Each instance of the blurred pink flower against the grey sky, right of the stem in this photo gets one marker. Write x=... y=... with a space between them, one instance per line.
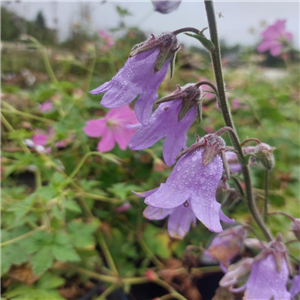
x=274 y=37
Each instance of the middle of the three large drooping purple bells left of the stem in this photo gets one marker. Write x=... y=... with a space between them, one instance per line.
x=171 y=120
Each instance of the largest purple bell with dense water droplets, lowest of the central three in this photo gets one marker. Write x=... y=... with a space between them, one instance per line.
x=195 y=179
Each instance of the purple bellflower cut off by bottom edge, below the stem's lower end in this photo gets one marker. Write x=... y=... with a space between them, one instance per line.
x=269 y=274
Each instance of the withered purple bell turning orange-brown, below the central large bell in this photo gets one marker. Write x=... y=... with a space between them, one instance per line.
x=227 y=244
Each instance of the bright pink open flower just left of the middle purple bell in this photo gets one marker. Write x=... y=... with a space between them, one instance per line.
x=112 y=128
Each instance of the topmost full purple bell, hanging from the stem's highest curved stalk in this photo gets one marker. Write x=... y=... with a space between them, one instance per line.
x=141 y=76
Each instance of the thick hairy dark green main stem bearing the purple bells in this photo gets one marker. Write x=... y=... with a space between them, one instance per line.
x=224 y=106
